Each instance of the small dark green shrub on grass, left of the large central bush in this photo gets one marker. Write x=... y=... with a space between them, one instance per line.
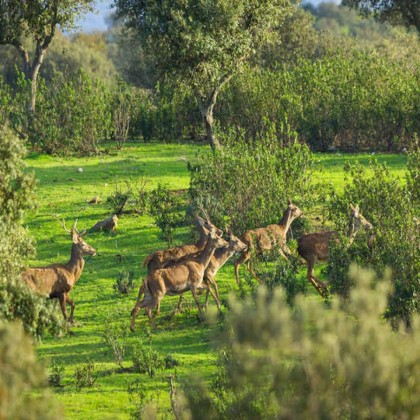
x=166 y=208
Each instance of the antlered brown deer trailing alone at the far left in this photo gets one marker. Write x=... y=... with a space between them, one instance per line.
x=57 y=280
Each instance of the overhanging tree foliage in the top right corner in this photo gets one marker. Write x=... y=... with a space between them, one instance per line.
x=396 y=12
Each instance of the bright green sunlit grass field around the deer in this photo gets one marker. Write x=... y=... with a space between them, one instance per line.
x=64 y=191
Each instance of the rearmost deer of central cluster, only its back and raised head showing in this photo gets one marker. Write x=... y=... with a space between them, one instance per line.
x=161 y=258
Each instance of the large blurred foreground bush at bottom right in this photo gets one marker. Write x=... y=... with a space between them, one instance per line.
x=313 y=361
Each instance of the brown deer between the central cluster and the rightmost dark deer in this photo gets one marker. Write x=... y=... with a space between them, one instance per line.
x=267 y=238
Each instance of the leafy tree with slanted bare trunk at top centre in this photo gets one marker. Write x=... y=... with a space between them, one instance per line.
x=203 y=44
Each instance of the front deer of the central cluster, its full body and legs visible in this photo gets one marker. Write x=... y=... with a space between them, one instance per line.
x=177 y=279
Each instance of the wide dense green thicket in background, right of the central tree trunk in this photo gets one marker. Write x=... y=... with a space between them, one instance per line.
x=353 y=101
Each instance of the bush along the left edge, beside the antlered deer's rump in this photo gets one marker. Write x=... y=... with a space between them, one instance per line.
x=17 y=196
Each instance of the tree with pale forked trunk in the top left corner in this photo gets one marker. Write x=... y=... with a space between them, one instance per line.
x=37 y=20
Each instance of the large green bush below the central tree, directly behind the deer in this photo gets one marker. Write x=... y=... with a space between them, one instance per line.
x=246 y=185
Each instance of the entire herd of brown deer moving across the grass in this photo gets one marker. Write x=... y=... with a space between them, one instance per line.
x=193 y=267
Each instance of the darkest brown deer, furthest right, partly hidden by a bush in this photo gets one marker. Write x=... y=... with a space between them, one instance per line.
x=314 y=247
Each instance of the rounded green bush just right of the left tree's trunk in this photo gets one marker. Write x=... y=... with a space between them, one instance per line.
x=74 y=115
